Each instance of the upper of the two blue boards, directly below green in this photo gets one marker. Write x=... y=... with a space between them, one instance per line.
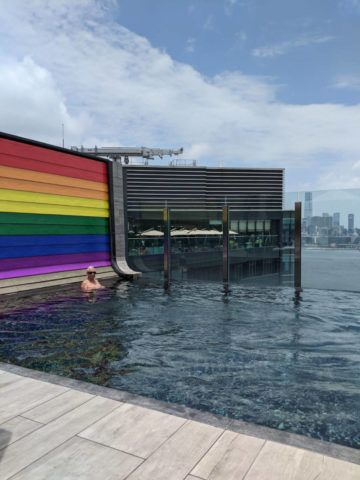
x=35 y=240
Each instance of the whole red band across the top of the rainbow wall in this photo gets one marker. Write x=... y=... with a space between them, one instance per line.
x=50 y=161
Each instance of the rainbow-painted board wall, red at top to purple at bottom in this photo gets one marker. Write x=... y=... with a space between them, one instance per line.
x=54 y=210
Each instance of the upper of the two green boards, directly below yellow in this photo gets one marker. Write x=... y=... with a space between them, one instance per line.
x=48 y=220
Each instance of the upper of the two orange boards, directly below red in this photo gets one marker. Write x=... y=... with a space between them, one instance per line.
x=50 y=178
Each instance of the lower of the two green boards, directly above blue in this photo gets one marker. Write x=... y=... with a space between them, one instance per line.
x=12 y=229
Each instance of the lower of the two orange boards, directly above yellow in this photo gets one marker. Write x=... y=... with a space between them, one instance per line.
x=23 y=185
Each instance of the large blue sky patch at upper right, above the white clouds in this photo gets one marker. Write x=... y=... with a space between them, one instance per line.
x=301 y=46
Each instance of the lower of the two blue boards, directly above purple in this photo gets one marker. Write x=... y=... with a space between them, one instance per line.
x=34 y=251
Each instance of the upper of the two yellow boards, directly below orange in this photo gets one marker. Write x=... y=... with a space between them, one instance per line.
x=47 y=198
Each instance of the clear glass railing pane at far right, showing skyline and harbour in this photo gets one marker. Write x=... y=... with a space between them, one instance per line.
x=330 y=238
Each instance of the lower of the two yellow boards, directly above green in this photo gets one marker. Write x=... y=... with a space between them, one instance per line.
x=23 y=207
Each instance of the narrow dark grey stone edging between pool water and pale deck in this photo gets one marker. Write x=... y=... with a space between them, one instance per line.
x=299 y=441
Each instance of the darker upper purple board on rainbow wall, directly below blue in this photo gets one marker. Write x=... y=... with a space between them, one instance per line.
x=52 y=260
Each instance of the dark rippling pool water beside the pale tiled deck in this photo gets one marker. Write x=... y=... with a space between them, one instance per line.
x=258 y=355
